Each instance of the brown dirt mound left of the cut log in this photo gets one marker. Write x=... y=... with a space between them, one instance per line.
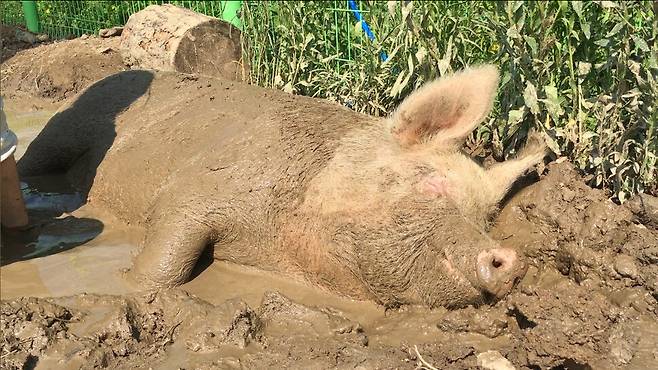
x=59 y=70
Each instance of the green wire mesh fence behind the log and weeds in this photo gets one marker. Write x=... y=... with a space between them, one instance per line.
x=70 y=19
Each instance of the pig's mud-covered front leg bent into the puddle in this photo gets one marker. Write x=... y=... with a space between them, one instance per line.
x=171 y=249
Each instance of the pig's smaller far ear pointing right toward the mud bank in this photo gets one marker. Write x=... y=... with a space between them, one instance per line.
x=501 y=176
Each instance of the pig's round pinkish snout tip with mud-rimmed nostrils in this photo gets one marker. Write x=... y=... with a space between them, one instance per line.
x=498 y=270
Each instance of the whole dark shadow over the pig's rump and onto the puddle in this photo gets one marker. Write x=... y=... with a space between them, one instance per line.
x=59 y=167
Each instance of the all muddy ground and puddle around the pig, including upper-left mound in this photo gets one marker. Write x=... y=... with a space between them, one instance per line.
x=589 y=299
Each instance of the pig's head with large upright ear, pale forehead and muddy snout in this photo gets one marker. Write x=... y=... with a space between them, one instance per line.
x=408 y=203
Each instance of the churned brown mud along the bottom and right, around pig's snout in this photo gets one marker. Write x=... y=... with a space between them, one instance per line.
x=588 y=301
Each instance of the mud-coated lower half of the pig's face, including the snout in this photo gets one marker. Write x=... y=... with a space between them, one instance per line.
x=422 y=250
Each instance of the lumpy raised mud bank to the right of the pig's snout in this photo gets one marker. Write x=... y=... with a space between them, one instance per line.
x=562 y=223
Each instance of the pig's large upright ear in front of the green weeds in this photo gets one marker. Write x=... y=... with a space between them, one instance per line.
x=447 y=110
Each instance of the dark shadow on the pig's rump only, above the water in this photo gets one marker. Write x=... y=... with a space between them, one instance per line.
x=75 y=140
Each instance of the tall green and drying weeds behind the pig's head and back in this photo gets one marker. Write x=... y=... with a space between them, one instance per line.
x=583 y=73
